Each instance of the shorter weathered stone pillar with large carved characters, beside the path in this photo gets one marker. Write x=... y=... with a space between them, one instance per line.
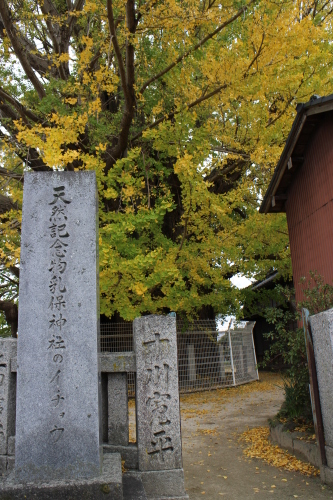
x=157 y=397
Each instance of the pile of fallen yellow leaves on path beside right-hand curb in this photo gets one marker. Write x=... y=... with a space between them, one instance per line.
x=259 y=446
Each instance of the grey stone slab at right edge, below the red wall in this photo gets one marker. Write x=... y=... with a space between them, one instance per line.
x=322 y=334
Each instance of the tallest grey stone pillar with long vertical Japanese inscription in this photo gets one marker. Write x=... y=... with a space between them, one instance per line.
x=57 y=422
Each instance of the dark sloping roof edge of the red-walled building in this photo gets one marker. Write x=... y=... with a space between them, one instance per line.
x=315 y=105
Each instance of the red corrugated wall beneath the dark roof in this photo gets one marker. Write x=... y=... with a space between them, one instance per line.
x=310 y=210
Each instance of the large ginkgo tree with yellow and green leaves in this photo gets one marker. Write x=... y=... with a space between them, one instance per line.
x=182 y=109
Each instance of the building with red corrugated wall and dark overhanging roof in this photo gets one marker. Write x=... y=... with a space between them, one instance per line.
x=302 y=186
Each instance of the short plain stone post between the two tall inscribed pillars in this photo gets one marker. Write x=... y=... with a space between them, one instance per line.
x=118 y=427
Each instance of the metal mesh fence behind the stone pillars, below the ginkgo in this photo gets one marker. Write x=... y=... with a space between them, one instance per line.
x=207 y=358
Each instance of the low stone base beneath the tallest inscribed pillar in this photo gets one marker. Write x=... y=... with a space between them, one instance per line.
x=107 y=486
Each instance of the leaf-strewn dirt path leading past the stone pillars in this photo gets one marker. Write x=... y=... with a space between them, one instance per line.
x=214 y=464
